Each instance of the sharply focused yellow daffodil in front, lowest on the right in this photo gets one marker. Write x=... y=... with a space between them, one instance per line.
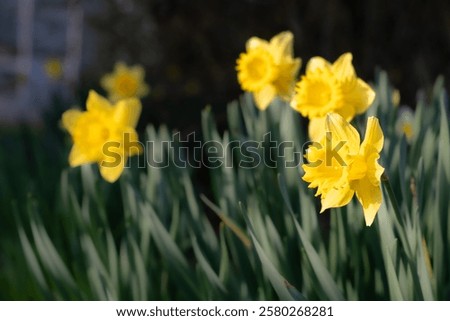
x=340 y=167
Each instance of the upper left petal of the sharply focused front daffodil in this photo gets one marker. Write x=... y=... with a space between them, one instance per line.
x=341 y=130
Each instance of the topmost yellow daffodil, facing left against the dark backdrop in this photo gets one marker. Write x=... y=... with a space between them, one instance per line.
x=268 y=69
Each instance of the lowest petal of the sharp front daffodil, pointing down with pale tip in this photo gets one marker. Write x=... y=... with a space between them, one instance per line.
x=370 y=198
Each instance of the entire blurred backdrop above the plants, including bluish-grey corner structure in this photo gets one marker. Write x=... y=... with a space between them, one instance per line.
x=53 y=51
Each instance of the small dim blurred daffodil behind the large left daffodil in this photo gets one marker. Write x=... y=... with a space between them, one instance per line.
x=125 y=82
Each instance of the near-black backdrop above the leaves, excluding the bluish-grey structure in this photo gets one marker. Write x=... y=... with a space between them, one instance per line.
x=189 y=48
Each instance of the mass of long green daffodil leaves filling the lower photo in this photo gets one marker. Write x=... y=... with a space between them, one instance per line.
x=254 y=233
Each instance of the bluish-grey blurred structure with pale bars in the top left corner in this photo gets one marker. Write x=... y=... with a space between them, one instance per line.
x=31 y=33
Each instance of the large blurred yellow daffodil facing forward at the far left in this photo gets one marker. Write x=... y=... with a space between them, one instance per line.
x=104 y=134
